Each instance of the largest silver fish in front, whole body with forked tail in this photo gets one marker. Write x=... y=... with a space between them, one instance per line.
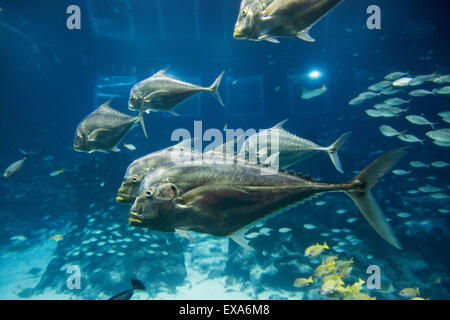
x=224 y=199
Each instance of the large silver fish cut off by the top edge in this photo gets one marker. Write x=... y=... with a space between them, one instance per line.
x=267 y=20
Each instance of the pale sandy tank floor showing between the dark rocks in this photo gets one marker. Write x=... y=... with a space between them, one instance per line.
x=15 y=276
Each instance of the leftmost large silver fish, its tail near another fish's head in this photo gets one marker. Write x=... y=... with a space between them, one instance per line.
x=103 y=129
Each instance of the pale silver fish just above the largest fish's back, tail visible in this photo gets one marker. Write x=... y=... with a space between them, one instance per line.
x=292 y=149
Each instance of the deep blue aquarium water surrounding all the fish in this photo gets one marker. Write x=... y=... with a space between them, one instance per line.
x=52 y=77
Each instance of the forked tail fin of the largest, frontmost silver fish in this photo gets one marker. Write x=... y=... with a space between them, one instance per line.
x=364 y=200
